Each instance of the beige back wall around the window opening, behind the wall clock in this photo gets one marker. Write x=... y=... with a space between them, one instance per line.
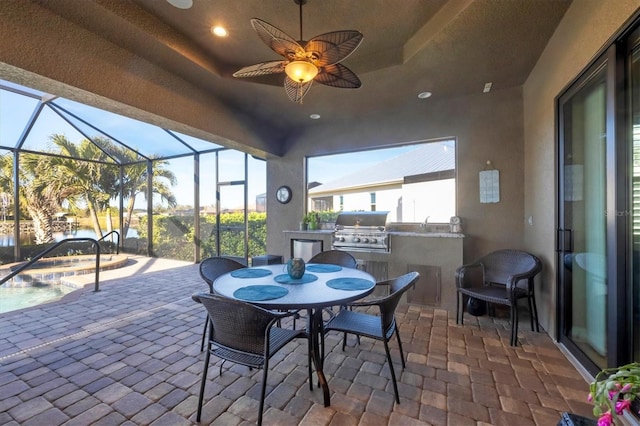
x=486 y=126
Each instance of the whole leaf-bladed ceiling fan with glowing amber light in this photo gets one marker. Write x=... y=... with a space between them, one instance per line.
x=306 y=61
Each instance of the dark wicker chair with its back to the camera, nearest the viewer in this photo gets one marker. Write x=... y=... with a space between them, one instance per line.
x=245 y=334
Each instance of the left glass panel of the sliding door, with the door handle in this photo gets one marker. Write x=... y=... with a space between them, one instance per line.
x=582 y=233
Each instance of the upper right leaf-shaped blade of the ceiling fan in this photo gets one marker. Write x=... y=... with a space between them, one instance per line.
x=333 y=47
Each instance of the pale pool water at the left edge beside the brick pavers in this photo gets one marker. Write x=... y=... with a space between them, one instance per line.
x=14 y=298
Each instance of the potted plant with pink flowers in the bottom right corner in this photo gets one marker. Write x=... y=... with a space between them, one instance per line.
x=613 y=391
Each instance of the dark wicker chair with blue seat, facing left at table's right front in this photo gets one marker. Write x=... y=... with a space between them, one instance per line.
x=380 y=327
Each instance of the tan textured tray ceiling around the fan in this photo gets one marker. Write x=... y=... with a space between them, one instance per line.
x=448 y=47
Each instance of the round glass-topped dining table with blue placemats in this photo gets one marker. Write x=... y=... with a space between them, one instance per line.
x=321 y=286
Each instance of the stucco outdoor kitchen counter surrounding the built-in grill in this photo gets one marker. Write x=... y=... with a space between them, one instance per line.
x=435 y=255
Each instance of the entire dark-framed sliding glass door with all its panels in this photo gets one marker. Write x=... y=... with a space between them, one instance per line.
x=598 y=234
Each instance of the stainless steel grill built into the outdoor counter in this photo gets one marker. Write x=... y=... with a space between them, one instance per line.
x=362 y=231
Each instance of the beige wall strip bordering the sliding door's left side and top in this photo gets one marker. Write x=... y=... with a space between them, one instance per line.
x=584 y=30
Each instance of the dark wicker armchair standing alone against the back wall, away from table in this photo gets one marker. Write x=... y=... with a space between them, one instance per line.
x=501 y=277
